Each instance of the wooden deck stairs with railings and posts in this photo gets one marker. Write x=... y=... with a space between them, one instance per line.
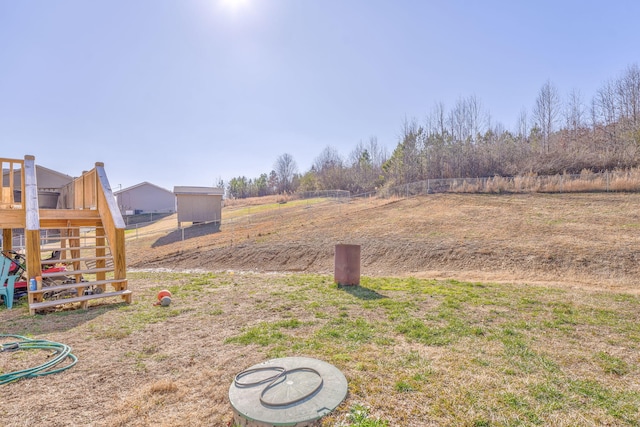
x=87 y=235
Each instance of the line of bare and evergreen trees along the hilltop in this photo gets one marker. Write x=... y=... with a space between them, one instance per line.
x=558 y=134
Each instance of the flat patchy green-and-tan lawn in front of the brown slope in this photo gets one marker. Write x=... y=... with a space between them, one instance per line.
x=415 y=352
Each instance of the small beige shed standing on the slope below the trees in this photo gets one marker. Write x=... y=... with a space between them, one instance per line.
x=199 y=204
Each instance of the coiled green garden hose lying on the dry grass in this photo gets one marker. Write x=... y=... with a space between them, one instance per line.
x=61 y=352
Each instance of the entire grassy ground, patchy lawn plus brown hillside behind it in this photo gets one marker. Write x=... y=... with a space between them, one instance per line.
x=541 y=325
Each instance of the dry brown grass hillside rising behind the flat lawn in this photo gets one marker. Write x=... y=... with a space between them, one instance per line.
x=588 y=240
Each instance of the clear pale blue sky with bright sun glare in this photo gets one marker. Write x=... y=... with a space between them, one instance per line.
x=189 y=92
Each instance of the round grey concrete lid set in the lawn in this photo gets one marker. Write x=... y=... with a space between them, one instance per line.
x=299 y=397
